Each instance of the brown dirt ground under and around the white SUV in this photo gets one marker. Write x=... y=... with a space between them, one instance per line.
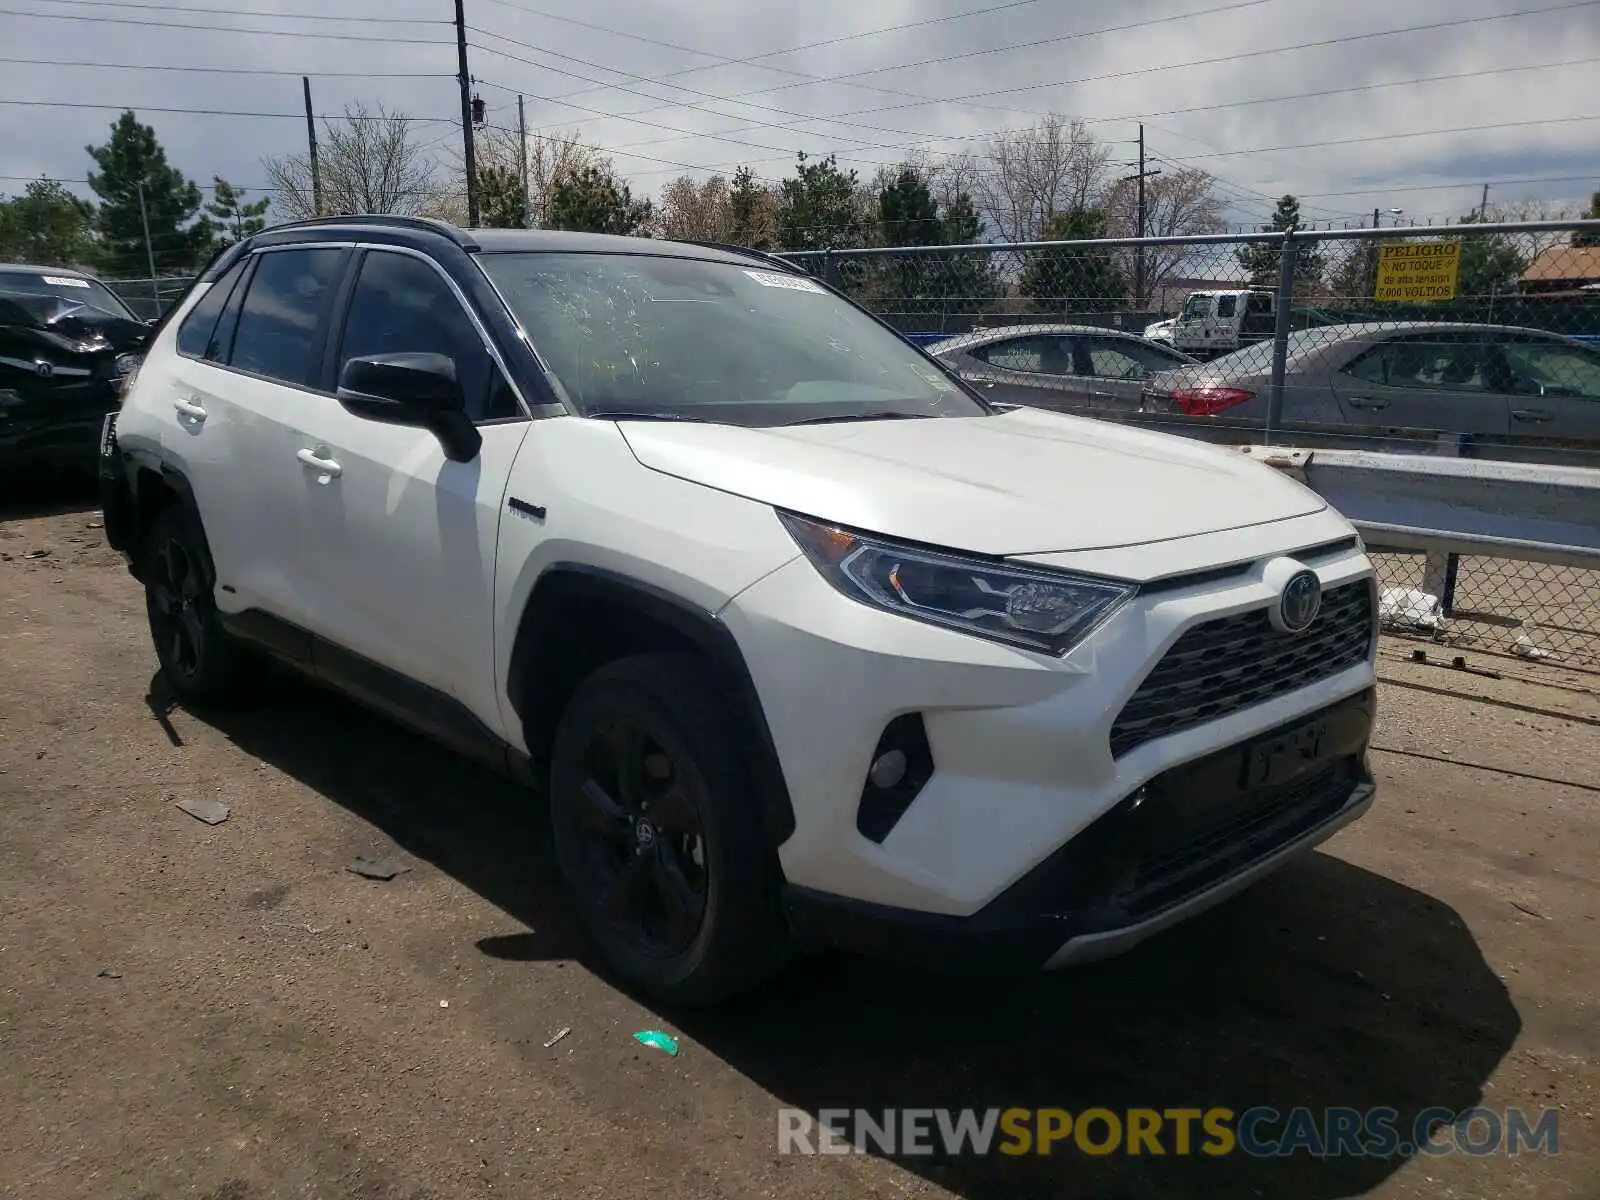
x=228 y=1014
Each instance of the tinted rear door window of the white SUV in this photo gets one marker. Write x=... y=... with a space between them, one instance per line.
x=279 y=322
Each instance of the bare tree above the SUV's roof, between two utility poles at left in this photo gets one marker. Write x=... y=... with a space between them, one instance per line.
x=370 y=162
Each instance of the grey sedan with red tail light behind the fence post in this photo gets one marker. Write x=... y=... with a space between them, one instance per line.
x=1492 y=380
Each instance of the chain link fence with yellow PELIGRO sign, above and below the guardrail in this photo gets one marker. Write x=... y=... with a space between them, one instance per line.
x=1474 y=340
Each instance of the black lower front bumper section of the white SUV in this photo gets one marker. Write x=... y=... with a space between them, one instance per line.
x=1185 y=842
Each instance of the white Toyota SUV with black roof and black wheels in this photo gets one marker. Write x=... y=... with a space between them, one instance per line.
x=807 y=642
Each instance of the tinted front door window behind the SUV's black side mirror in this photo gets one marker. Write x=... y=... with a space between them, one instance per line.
x=402 y=306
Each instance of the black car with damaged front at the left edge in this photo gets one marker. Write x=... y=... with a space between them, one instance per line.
x=66 y=345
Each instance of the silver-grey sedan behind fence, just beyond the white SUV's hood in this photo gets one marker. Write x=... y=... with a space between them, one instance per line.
x=1065 y=367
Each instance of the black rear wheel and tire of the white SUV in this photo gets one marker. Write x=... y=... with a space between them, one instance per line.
x=201 y=662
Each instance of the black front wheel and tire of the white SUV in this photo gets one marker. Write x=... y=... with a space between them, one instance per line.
x=686 y=910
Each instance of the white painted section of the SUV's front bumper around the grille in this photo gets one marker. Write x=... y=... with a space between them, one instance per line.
x=1022 y=745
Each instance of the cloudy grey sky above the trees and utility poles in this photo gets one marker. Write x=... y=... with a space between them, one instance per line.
x=1354 y=111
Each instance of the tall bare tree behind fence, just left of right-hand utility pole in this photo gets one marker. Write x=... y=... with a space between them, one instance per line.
x=1028 y=175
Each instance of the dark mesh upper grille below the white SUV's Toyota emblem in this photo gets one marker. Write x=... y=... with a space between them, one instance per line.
x=1239 y=662
